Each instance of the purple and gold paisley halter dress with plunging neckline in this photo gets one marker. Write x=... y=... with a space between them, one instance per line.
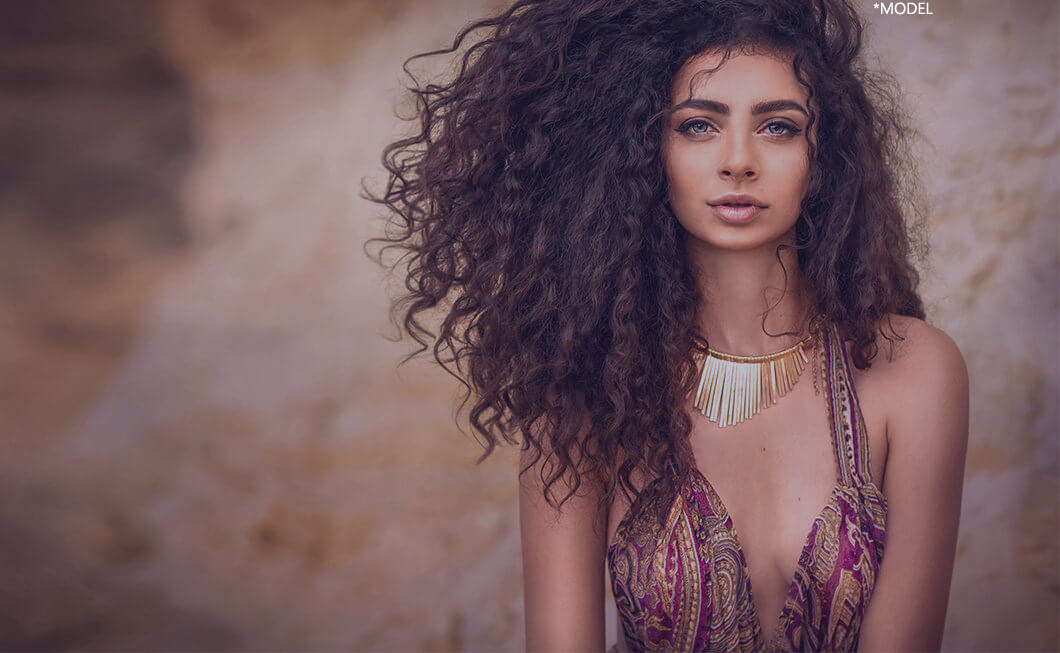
x=679 y=573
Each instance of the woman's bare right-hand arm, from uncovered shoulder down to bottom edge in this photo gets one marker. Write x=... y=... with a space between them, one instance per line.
x=928 y=435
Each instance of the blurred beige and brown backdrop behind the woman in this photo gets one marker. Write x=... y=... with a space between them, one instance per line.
x=205 y=444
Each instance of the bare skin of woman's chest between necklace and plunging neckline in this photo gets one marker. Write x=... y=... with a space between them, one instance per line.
x=774 y=478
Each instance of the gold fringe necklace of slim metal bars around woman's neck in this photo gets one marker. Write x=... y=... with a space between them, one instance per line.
x=734 y=389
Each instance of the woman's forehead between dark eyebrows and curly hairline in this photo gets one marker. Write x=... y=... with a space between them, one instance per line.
x=741 y=78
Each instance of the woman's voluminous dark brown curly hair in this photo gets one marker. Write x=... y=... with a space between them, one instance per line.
x=532 y=207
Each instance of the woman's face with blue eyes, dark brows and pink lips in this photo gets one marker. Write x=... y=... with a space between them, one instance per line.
x=744 y=132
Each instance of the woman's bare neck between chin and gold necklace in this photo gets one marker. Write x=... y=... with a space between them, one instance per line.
x=738 y=288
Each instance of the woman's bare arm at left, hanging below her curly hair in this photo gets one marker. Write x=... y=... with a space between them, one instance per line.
x=563 y=557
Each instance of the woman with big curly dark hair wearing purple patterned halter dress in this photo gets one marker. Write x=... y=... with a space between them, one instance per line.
x=653 y=221
